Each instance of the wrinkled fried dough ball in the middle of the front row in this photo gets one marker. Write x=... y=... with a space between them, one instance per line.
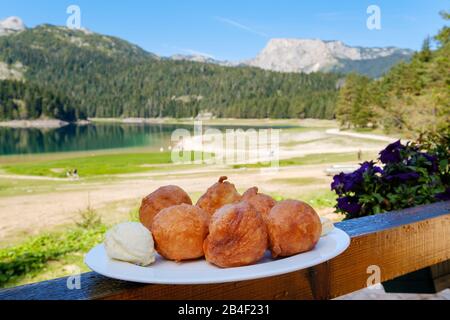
x=237 y=236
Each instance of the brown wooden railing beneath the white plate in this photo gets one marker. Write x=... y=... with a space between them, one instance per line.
x=397 y=242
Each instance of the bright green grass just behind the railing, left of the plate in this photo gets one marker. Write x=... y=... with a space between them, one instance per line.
x=34 y=258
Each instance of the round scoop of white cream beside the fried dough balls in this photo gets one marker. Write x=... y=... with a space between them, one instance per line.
x=130 y=242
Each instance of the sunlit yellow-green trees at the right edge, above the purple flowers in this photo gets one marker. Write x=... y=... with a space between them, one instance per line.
x=412 y=98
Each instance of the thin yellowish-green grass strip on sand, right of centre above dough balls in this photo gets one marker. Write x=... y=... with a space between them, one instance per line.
x=312 y=159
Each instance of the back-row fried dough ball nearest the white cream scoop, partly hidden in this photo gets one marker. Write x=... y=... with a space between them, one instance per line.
x=162 y=198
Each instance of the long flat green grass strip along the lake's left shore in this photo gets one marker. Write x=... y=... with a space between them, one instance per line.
x=92 y=166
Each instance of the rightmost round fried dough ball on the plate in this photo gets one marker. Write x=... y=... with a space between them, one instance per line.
x=294 y=227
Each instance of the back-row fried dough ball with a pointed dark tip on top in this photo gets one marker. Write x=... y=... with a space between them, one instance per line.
x=218 y=195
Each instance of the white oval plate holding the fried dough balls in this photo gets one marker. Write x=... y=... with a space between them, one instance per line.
x=201 y=272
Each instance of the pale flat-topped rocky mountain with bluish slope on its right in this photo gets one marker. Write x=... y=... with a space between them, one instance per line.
x=304 y=55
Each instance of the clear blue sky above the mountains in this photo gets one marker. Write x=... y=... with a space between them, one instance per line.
x=239 y=29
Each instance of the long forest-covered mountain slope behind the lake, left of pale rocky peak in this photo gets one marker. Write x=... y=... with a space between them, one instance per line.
x=103 y=76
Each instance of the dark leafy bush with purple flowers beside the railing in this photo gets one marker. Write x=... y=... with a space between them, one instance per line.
x=406 y=177
